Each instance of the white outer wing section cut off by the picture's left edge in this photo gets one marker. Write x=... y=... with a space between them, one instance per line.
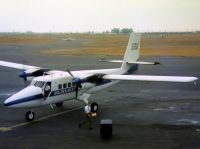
x=17 y=66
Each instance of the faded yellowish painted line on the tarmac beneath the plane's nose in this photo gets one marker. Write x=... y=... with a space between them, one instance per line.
x=5 y=129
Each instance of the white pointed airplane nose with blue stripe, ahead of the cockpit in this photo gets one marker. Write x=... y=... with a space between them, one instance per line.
x=20 y=99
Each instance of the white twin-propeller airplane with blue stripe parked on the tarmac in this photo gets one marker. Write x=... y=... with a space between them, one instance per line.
x=49 y=87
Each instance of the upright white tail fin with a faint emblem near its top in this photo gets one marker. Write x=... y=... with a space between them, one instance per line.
x=132 y=51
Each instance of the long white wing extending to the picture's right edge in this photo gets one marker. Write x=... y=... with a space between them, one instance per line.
x=150 y=78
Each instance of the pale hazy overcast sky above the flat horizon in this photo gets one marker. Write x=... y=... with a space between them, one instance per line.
x=99 y=15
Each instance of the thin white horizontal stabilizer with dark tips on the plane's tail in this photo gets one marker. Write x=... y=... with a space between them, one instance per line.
x=130 y=62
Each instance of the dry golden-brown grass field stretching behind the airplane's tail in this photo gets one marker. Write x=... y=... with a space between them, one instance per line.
x=109 y=44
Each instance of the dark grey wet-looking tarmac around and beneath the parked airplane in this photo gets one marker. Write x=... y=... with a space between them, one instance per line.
x=145 y=114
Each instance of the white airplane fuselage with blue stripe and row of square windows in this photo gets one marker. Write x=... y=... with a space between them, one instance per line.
x=62 y=89
